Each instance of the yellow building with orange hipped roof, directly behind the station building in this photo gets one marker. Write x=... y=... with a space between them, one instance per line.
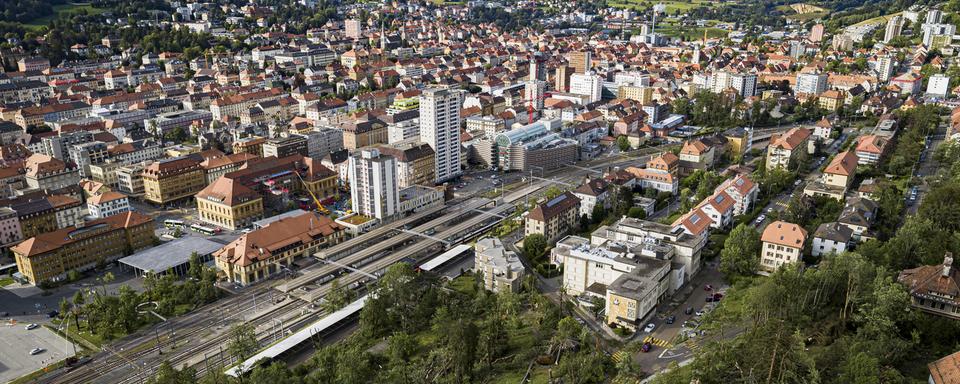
x=229 y=204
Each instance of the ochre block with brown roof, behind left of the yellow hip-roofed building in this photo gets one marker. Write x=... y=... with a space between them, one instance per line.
x=169 y=180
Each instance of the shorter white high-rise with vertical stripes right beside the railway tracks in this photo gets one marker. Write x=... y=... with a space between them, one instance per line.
x=373 y=184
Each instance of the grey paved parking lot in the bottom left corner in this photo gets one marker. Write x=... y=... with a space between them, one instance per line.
x=15 y=345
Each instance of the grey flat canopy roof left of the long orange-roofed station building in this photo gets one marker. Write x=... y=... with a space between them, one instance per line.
x=170 y=254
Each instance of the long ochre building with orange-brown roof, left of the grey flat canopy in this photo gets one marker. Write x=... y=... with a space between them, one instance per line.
x=49 y=256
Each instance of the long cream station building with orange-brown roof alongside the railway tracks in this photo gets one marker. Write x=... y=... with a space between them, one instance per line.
x=269 y=250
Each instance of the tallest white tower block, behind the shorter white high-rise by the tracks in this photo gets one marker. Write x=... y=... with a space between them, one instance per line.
x=440 y=128
